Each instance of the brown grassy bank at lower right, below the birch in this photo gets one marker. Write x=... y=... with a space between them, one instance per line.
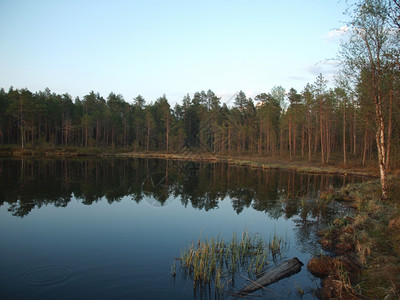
x=366 y=245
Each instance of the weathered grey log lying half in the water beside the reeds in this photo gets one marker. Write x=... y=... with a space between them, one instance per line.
x=285 y=269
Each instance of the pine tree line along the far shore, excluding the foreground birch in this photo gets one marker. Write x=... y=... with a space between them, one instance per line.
x=316 y=123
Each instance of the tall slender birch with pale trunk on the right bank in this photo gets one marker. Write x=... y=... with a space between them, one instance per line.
x=370 y=49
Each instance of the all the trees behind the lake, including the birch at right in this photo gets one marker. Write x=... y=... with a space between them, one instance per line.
x=356 y=119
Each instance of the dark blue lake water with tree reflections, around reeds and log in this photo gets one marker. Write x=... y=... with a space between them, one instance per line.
x=110 y=228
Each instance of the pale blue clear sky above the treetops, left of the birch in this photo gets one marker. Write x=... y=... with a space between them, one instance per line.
x=155 y=47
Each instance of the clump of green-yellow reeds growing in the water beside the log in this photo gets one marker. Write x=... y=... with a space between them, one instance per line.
x=210 y=261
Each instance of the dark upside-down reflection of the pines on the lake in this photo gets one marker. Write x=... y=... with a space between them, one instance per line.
x=26 y=184
